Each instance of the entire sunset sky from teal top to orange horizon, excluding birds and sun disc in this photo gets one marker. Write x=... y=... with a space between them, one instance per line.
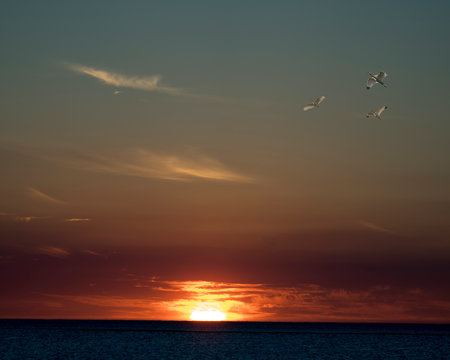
x=156 y=160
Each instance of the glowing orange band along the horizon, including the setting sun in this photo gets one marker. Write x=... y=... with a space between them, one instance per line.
x=223 y=301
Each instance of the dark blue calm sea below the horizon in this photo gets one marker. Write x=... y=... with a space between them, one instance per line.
x=98 y=339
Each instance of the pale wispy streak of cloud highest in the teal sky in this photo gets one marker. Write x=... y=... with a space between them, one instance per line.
x=148 y=83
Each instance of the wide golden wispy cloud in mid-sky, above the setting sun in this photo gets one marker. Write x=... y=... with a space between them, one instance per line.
x=147 y=164
